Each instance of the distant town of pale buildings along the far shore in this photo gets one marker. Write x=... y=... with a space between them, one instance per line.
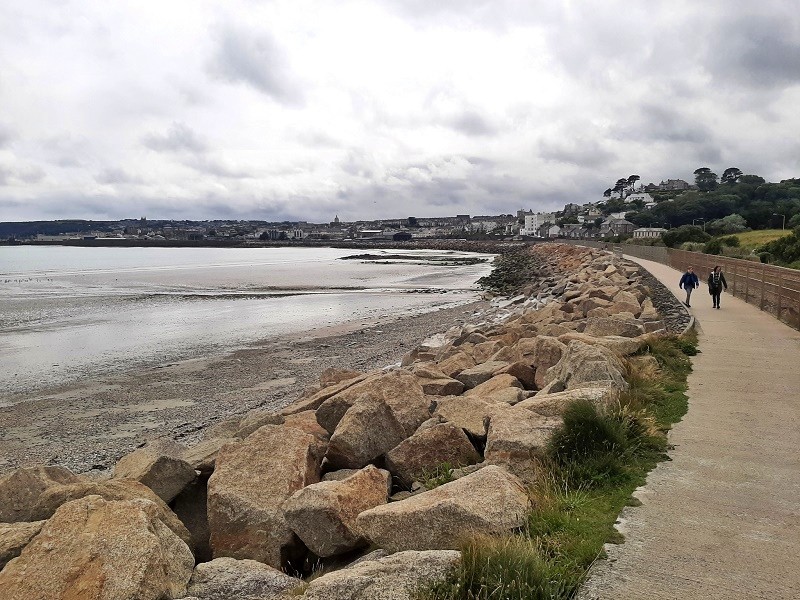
x=591 y=220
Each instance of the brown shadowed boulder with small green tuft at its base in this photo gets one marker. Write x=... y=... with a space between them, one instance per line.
x=429 y=448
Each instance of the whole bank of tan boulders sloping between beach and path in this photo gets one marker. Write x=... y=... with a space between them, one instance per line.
x=337 y=477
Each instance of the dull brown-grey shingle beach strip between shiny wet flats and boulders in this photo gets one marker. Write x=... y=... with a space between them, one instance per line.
x=87 y=426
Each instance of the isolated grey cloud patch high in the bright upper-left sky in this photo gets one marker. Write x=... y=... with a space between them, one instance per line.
x=256 y=60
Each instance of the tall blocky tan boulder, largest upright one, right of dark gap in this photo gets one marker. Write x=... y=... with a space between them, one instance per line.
x=246 y=493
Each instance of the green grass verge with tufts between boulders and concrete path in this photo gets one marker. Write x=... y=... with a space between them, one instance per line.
x=591 y=468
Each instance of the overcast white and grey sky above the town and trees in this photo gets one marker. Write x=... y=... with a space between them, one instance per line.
x=306 y=109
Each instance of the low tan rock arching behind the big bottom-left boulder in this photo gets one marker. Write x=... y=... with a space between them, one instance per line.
x=111 y=490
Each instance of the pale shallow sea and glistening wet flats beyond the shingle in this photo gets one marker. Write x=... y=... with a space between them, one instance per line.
x=70 y=313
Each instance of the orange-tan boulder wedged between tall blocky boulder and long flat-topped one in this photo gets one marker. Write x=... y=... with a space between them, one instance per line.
x=323 y=514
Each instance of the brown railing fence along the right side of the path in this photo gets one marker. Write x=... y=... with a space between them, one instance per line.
x=775 y=290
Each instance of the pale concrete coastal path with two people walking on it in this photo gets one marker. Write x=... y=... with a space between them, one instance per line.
x=722 y=519
